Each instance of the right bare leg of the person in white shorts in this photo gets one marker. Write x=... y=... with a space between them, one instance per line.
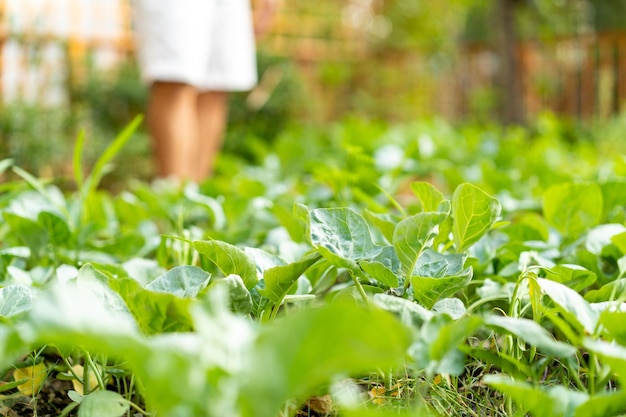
x=212 y=118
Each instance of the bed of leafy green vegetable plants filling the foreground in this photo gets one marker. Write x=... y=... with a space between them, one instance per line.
x=361 y=270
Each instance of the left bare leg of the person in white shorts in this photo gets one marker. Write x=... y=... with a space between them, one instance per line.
x=173 y=125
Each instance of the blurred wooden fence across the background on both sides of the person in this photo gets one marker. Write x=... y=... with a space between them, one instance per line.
x=581 y=77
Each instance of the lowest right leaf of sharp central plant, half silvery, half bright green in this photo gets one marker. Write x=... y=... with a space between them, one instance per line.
x=438 y=276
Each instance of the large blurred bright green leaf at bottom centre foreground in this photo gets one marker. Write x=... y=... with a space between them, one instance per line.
x=311 y=347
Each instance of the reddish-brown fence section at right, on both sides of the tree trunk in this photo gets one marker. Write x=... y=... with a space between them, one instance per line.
x=580 y=77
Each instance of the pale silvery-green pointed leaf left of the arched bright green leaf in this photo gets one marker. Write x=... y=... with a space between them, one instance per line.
x=182 y=281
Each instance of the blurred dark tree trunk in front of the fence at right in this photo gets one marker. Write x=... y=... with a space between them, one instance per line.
x=510 y=73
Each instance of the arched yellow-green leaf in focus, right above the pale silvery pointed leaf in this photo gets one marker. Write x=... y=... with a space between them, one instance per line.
x=229 y=259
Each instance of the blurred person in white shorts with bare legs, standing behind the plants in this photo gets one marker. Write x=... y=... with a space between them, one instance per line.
x=191 y=53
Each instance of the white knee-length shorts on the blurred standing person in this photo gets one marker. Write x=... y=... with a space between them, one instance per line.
x=205 y=43
